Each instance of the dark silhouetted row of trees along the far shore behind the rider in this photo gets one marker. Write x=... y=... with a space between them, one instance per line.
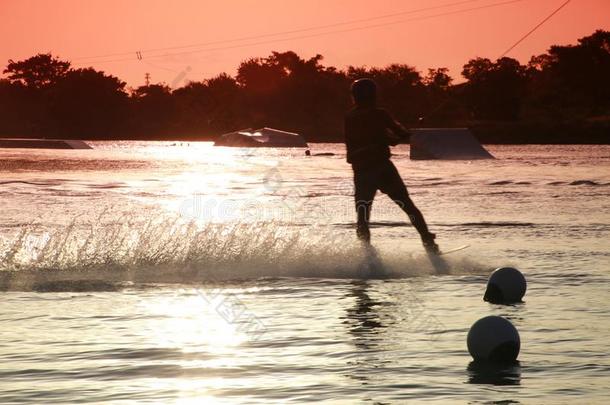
x=562 y=95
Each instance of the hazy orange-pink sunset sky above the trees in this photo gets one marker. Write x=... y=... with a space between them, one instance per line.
x=74 y=29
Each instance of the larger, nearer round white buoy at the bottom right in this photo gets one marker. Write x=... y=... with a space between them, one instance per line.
x=493 y=339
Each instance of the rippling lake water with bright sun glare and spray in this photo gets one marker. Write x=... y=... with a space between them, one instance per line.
x=182 y=273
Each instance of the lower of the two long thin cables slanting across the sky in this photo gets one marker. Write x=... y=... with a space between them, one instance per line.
x=322 y=33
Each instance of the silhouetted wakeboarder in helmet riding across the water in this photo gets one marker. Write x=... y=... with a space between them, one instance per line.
x=369 y=133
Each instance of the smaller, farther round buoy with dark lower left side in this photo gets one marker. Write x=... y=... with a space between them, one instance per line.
x=506 y=285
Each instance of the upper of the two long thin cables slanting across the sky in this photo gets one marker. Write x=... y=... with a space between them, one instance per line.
x=315 y=28
